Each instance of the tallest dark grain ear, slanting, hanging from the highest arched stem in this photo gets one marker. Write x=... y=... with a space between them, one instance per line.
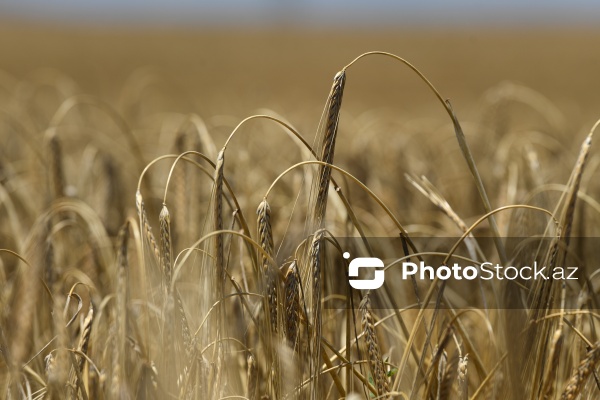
x=328 y=146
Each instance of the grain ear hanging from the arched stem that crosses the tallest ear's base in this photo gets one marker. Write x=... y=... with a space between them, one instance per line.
x=265 y=235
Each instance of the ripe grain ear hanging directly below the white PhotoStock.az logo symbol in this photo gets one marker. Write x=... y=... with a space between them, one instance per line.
x=375 y=360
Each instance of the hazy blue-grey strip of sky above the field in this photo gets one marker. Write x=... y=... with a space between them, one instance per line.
x=310 y=12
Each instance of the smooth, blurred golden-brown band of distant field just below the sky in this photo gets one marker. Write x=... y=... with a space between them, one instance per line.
x=233 y=70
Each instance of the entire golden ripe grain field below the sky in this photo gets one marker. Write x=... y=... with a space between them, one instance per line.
x=175 y=205
